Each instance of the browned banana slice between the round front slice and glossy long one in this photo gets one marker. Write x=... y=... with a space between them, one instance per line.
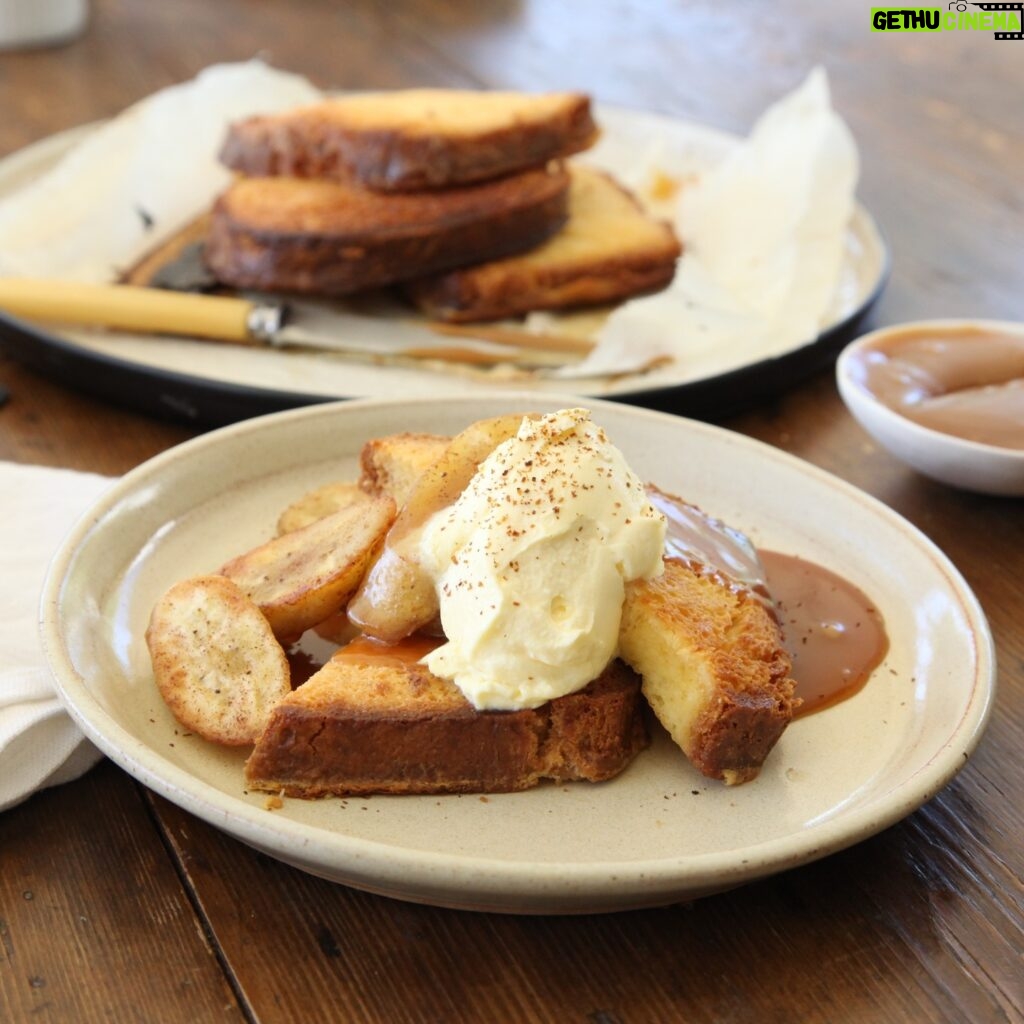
x=305 y=578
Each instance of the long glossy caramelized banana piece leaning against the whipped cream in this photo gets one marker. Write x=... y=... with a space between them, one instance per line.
x=398 y=598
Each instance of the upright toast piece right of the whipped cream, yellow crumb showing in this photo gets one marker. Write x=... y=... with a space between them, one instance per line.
x=713 y=665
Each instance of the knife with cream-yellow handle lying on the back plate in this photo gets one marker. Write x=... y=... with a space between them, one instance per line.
x=245 y=322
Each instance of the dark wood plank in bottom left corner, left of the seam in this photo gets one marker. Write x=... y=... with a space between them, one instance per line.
x=95 y=922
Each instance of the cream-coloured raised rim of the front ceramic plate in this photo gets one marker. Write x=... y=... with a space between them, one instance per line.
x=491 y=882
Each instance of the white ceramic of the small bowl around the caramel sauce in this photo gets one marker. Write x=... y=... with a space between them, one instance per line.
x=970 y=465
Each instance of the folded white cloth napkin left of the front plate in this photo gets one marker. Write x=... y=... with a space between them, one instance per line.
x=40 y=746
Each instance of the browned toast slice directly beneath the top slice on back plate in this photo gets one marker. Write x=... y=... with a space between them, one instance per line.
x=330 y=238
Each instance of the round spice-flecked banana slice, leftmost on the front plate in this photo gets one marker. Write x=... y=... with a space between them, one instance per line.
x=216 y=661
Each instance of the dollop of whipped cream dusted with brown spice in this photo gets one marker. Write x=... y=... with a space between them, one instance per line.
x=532 y=562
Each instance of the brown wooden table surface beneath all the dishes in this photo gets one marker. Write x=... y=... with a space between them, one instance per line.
x=116 y=906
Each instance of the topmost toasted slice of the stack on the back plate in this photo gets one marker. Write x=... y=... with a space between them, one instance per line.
x=413 y=140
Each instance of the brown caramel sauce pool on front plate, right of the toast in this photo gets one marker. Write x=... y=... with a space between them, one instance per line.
x=833 y=631
